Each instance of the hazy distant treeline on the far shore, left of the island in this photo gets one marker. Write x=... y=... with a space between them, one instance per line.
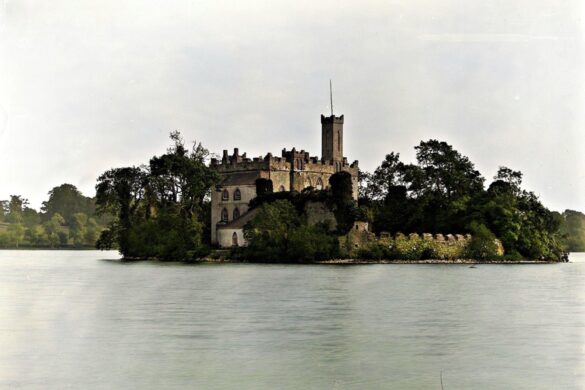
x=66 y=220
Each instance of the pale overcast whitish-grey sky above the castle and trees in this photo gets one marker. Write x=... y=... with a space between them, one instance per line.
x=86 y=86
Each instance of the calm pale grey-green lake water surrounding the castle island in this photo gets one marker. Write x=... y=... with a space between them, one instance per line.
x=83 y=320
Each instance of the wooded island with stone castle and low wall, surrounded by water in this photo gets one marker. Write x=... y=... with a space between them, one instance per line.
x=187 y=206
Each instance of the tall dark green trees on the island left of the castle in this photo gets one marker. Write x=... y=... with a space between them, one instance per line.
x=161 y=209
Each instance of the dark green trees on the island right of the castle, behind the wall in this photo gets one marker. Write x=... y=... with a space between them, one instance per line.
x=444 y=193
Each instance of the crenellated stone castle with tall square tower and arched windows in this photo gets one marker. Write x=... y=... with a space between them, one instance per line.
x=292 y=171
